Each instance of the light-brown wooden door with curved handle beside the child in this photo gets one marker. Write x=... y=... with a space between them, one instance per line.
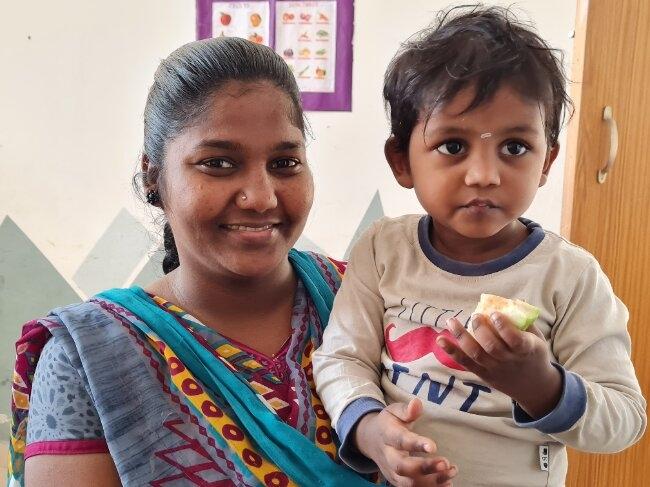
x=610 y=219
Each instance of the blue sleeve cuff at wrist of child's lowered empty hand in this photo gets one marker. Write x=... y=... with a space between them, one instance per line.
x=348 y=420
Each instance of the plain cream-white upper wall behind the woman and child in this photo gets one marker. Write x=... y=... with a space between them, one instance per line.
x=73 y=81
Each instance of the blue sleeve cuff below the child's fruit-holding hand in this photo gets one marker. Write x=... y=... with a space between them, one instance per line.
x=569 y=409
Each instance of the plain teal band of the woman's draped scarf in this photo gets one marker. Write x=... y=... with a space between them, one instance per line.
x=287 y=448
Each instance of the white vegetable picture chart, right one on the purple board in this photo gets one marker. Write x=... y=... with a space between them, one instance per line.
x=305 y=35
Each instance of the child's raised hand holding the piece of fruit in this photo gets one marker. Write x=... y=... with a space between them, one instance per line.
x=515 y=362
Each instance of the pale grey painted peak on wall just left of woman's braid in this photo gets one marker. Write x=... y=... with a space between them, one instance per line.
x=115 y=255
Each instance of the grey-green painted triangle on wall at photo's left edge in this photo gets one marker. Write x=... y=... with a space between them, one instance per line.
x=30 y=286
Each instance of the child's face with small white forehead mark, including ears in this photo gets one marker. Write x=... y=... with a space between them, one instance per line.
x=476 y=172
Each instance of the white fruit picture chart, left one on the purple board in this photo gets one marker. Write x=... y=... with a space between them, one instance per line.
x=250 y=20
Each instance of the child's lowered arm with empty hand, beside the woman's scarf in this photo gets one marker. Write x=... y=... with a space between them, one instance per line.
x=347 y=370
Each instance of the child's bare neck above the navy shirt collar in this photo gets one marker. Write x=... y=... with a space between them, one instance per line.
x=477 y=250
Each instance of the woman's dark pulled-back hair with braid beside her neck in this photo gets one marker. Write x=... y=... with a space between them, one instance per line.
x=183 y=85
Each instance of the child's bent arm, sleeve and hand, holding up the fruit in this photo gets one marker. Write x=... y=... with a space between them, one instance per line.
x=597 y=405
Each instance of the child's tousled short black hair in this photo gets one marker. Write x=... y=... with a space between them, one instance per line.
x=473 y=46
